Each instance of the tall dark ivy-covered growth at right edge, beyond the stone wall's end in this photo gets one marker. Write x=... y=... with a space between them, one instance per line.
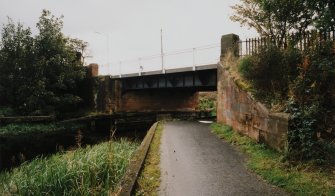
x=311 y=103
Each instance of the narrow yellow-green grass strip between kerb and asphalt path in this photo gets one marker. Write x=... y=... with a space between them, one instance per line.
x=149 y=179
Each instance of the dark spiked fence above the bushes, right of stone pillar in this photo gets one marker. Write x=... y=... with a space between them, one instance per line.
x=301 y=41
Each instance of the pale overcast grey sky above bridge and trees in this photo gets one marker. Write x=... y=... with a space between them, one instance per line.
x=120 y=30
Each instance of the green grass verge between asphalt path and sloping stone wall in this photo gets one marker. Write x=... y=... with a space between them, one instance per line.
x=302 y=179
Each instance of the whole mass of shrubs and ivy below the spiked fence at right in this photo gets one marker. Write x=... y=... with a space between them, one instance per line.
x=305 y=83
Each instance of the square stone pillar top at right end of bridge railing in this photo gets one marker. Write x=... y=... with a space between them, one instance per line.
x=229 y=43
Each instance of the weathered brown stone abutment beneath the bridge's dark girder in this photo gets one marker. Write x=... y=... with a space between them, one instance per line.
x=109 y=98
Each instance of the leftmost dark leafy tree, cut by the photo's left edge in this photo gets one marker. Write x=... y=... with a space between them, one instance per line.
x=15 y=56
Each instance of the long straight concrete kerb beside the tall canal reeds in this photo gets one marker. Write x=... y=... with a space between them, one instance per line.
x=128 y=181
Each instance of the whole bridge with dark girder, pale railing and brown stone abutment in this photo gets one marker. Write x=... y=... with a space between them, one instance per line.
x=164 y=87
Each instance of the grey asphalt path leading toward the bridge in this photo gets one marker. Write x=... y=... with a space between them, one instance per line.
x=195 y=162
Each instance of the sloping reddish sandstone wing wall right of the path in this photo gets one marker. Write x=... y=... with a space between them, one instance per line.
x=237 y=108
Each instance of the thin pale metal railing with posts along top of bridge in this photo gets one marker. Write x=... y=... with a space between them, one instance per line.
x=191 y=57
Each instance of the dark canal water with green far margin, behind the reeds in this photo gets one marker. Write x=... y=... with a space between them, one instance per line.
x=21 y=142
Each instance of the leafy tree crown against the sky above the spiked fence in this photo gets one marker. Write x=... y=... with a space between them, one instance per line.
x=273 y=19
